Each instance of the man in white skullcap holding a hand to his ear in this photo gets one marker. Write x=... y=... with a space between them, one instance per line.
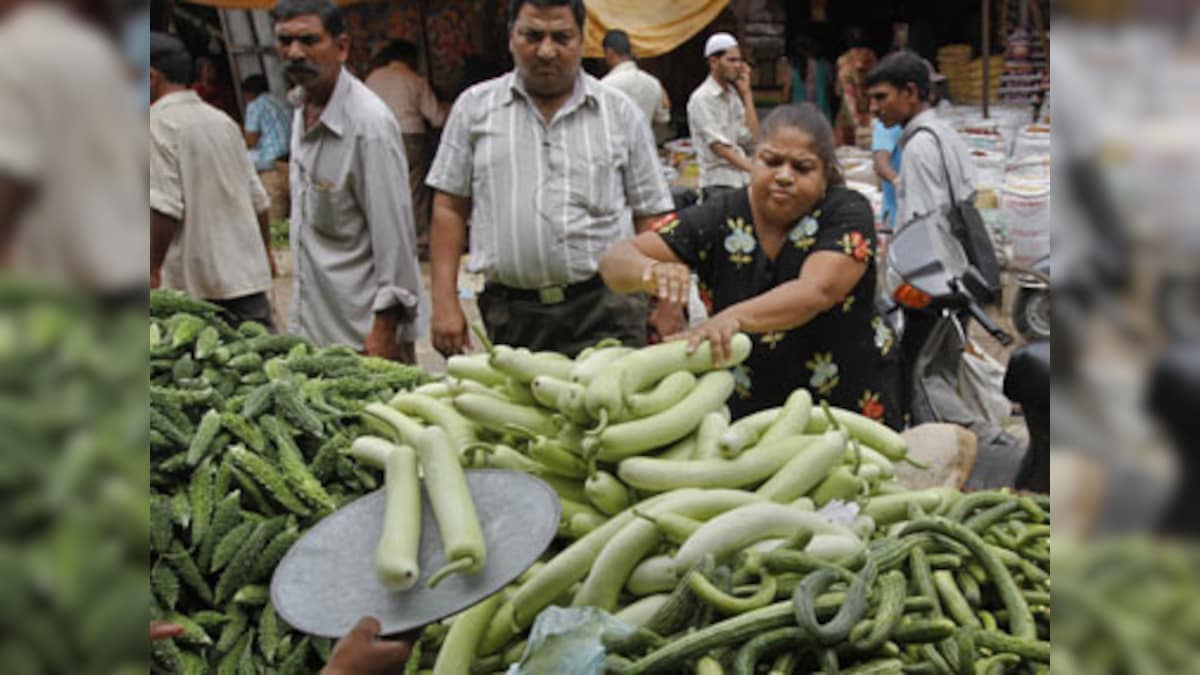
x=723 y=118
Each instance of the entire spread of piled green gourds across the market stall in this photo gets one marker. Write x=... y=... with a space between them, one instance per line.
x=782 y=539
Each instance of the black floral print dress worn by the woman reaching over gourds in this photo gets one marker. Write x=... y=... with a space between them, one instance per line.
x=847 y=355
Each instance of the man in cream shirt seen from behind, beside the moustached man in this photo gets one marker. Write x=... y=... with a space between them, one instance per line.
x=209 y=234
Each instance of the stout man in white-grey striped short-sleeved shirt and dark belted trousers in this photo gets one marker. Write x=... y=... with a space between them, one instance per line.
x=550 y=168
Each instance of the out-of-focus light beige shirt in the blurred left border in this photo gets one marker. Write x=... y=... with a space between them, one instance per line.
x=71 y=127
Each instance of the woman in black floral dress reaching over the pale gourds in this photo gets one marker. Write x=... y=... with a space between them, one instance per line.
x=791 y=261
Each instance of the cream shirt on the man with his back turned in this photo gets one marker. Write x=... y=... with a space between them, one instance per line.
x=201 y=175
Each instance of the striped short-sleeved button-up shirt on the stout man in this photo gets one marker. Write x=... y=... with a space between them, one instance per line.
x=548 y=200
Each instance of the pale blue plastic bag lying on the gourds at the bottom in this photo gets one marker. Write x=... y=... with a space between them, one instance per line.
x=569 y=642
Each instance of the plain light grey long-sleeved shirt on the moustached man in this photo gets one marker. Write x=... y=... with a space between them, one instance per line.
x=353 y=240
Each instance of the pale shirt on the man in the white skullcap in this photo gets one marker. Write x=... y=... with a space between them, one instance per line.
x=716 y=115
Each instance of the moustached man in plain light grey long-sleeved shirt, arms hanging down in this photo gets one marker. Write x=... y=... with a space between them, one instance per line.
x=353 y=240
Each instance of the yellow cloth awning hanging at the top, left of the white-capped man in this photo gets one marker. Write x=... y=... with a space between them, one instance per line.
x=655 y=28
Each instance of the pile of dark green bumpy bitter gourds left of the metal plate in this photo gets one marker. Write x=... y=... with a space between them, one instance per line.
x=249 y=434
